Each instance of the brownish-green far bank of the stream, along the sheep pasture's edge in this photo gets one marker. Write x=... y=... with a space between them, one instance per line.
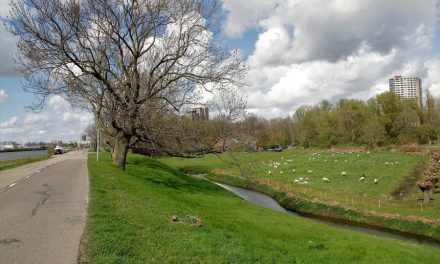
x=413 y=228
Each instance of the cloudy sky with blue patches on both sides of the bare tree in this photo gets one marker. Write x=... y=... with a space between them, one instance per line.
x=298 y=52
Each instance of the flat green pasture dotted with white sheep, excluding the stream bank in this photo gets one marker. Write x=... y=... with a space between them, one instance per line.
x=396 y=173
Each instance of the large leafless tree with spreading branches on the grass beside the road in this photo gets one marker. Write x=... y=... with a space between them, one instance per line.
x=121 y=59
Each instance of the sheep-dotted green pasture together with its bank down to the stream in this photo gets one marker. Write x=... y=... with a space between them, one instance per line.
x=345 y=197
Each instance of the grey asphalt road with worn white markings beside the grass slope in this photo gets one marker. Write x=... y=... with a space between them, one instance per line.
x=43 y=210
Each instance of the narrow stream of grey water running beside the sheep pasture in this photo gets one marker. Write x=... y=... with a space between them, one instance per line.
x=268 y=202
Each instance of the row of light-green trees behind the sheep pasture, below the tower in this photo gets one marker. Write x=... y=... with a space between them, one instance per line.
x=382 y=120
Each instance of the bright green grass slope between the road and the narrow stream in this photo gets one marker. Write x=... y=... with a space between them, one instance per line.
x=129 y=222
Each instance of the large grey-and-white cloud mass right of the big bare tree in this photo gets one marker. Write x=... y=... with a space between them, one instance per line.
x=312 y=50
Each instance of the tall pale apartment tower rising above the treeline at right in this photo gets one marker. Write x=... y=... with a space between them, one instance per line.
x=407 y=87
